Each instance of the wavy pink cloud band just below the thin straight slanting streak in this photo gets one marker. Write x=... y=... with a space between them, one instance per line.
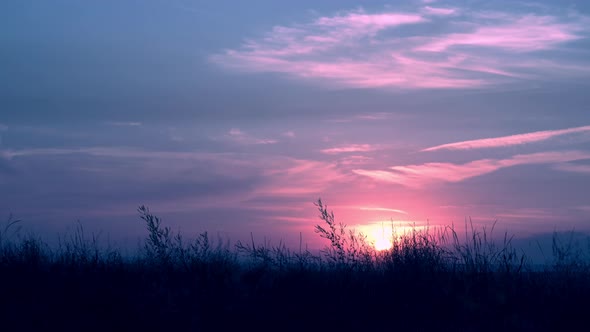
x=419 y=175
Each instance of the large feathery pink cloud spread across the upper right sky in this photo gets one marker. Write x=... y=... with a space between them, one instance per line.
x=363 y=50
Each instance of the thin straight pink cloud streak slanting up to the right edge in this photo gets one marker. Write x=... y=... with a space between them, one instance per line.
x=508 y=140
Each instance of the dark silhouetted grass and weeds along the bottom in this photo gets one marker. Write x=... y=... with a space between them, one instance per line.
x=428 y=281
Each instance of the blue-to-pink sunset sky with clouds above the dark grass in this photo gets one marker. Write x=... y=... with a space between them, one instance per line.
x=236 y=116
